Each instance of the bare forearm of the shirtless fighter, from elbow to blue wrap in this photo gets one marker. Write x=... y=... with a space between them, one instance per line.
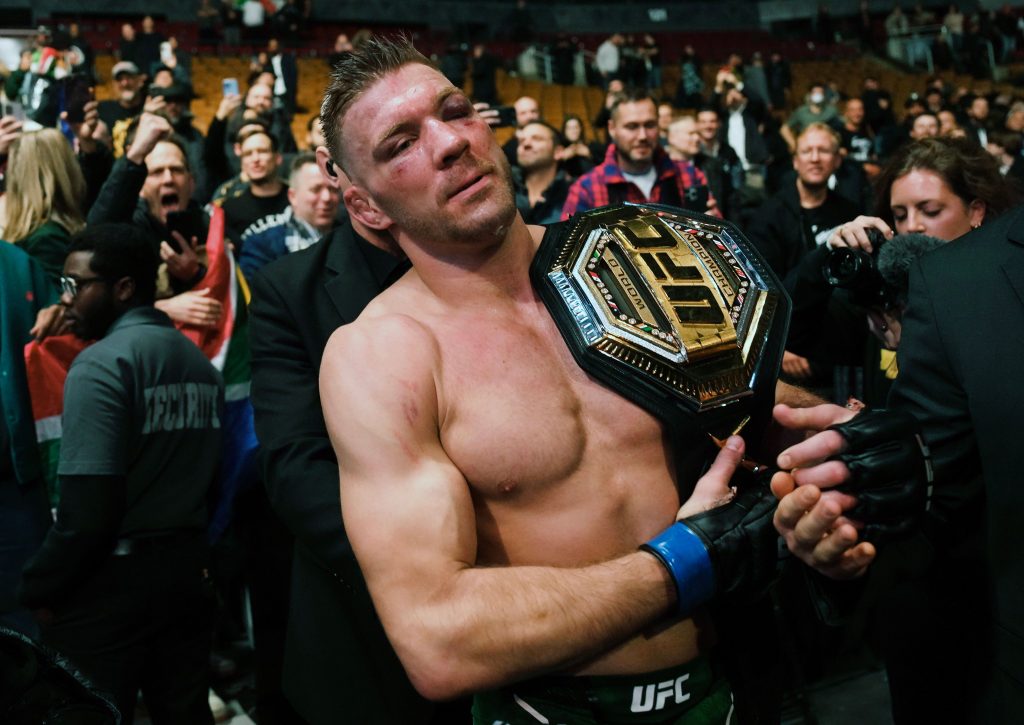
x=485 y=628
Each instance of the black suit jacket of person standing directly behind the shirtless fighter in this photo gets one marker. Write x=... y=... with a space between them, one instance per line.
x=339 y=666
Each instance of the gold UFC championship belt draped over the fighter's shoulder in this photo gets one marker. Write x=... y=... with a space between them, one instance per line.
x=673 y=310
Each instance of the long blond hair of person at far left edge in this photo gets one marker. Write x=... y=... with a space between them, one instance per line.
x=45 y=184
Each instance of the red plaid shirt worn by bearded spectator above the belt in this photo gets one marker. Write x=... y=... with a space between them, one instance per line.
x=607 y=185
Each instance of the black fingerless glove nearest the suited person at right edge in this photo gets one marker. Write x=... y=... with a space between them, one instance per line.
x=890 y=473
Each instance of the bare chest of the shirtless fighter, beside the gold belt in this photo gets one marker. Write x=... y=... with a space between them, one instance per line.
x=519 y=413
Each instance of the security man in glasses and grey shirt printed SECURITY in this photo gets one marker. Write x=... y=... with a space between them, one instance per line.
x=121 y=585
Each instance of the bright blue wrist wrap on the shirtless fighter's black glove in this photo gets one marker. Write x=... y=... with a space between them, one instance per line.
x=686 y=556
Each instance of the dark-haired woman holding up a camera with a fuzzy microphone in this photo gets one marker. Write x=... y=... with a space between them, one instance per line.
x=938 y=188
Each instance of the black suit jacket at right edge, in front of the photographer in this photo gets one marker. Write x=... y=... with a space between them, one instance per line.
x=961 y=360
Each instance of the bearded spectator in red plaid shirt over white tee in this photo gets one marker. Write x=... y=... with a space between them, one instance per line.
x=636 y=168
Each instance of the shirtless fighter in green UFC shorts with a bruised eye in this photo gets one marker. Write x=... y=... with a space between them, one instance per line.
x=495 y=495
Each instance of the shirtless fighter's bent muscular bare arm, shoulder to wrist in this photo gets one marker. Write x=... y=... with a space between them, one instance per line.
x=408 y=509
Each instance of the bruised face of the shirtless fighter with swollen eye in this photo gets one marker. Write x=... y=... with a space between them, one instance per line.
x=424 y=164
